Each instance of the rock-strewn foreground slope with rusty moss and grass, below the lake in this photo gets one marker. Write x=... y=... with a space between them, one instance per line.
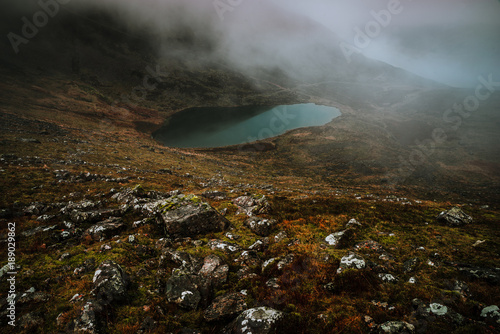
x=117 y=234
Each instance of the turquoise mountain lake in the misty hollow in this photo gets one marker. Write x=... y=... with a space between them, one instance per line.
x=216 y=127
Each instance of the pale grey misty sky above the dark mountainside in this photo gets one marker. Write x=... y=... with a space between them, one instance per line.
x=450 y=41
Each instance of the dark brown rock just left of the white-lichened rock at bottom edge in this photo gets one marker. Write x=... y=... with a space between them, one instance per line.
x=226 y=306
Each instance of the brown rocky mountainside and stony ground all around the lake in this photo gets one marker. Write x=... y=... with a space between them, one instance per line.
x=308 y=232
